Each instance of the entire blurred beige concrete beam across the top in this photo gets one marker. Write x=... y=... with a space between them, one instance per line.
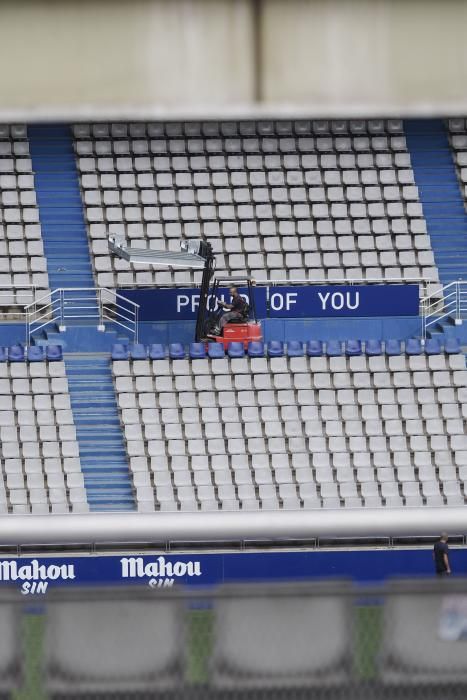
x=160 y=58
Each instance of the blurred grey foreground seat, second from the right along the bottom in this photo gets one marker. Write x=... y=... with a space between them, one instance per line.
x=282 y=667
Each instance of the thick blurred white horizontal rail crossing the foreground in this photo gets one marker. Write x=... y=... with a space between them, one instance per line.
x=229 y=526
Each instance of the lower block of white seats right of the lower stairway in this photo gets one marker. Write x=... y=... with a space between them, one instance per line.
x=295 y=432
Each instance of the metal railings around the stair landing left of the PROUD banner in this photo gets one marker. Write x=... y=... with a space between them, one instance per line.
x=83 y=304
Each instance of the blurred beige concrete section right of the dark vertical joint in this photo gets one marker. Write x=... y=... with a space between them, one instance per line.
x=381 y=54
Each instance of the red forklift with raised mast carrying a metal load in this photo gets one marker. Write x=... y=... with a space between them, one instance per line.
x=198 y=255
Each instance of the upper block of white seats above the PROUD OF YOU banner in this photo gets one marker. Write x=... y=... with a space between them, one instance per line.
x=282 y=200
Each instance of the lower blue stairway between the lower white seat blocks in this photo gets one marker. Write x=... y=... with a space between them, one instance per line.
x=102 y=451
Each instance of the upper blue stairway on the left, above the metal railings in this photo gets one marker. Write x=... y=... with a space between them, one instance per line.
x=60 y=206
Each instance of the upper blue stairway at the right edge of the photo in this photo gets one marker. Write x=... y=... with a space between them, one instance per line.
x=440 y=195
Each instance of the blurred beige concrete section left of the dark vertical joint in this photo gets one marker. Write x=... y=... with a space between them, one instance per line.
x=122 y=57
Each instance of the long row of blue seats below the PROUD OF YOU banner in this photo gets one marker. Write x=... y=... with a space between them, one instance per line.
x=294 y=348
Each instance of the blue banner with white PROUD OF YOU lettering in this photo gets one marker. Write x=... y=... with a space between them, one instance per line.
x=313 y=301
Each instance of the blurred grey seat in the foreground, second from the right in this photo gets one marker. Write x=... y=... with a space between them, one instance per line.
x=260 y=644
